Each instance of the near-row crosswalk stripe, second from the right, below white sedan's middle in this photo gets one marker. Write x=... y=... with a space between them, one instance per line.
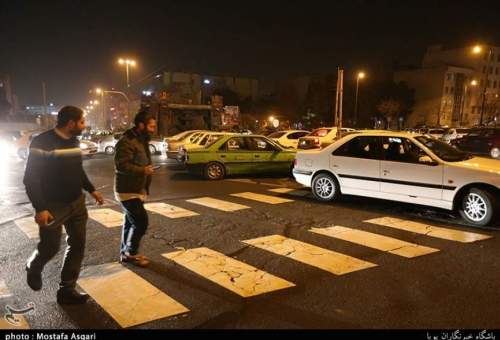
x=375 y=241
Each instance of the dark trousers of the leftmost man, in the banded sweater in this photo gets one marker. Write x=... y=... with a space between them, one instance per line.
x=74 y=218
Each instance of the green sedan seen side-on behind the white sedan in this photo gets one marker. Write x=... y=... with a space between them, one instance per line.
x=239 y=154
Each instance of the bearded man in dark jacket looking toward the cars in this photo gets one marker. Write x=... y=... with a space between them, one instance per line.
x=133 y=178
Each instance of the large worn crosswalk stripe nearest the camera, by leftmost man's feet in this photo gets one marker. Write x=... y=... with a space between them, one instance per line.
x=126 y=297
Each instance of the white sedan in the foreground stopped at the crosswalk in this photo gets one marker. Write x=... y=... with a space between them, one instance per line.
x=403 y=167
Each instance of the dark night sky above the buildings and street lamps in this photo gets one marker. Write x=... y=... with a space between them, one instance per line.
x=74 y=45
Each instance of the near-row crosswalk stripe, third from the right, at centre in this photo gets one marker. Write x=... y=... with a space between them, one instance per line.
x=333 y=262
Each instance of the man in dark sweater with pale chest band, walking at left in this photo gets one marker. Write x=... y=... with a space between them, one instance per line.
x=54 y=179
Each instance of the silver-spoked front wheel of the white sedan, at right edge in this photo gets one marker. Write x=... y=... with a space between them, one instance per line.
x=478 y=207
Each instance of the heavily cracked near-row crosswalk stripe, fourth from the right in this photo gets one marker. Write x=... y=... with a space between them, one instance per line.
x=227 y=272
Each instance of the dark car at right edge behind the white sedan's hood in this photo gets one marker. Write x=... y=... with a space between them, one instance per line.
x=482 y=141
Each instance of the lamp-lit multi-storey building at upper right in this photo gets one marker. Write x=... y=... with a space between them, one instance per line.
x=455 y=87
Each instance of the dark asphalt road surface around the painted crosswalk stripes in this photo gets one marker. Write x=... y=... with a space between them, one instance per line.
x=453 y=288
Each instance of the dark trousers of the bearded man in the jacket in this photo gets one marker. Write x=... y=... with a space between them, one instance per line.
x=134 y=226
